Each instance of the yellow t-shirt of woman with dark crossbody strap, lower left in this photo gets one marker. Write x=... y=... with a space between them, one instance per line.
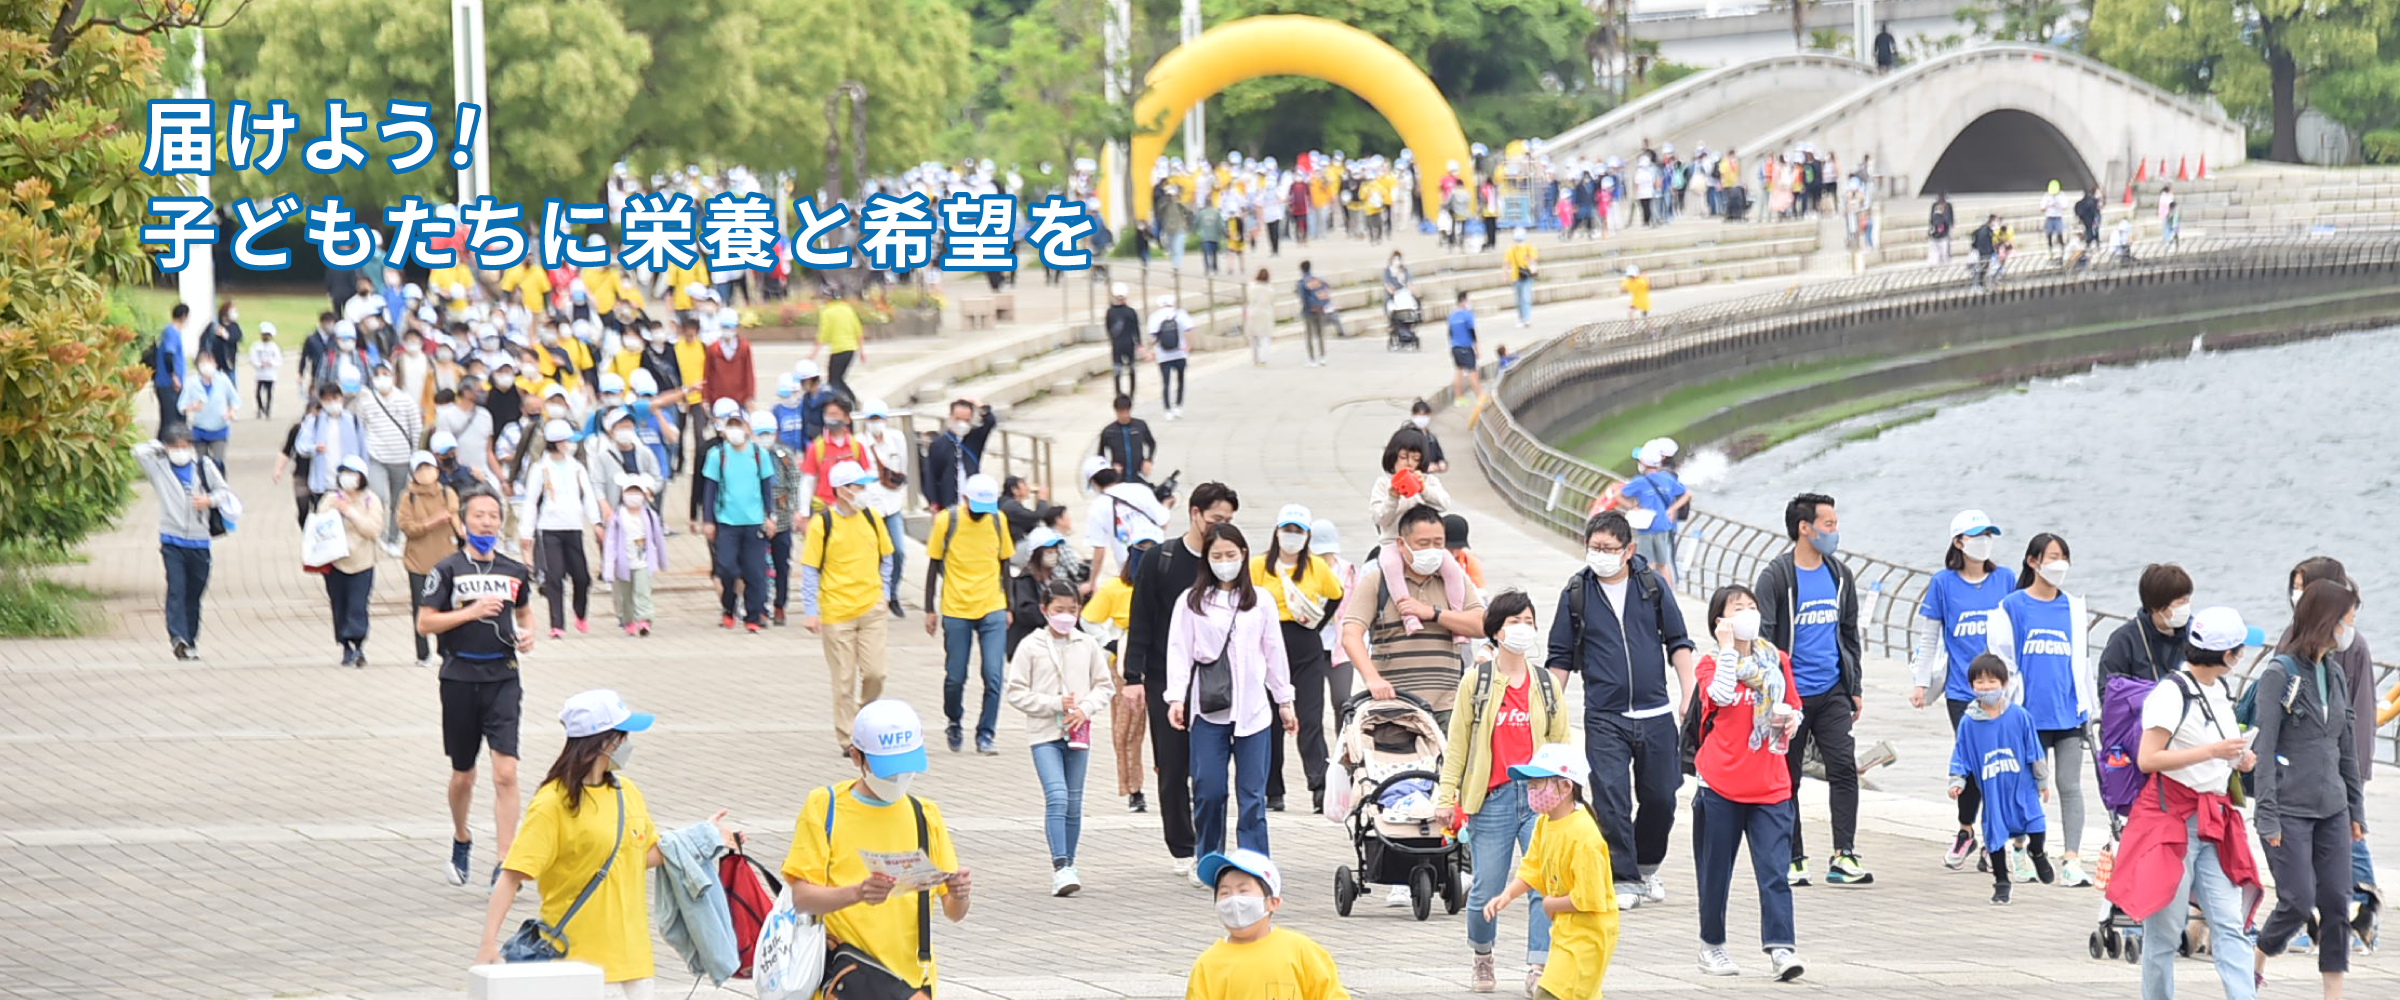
x=560 y=853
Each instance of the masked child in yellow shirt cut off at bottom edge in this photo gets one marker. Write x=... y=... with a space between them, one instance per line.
x=1256 y=960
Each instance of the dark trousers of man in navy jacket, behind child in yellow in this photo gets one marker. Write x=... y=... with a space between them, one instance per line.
x=1633 y=761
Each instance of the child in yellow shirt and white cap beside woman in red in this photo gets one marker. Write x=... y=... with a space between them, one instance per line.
x=1568 y=867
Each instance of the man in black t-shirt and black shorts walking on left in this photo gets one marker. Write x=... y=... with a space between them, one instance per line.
x=476 y=603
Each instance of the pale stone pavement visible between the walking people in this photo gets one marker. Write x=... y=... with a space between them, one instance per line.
x=270 y=826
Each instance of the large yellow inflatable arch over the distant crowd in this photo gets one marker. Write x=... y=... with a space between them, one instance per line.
x=1307 y=47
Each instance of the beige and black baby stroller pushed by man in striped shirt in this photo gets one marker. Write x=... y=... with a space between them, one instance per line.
x=1393 y=757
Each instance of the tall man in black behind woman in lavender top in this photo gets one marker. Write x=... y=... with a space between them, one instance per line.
x=1158 y=584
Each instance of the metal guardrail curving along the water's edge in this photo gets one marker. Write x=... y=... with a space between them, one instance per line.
x=1554 y=488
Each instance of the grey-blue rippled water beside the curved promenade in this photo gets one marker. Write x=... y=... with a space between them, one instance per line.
x=2231 y=464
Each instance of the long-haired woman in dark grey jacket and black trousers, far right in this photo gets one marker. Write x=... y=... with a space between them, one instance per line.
x=2310 y=800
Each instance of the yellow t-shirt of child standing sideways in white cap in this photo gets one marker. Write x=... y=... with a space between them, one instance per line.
x=1571 y=860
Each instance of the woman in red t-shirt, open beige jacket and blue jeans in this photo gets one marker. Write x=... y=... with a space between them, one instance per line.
x=1508 y=709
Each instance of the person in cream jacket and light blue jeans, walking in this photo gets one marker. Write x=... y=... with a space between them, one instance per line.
x=1060 y=677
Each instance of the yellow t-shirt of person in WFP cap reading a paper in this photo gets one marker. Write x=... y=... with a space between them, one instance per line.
x=884 y=932
